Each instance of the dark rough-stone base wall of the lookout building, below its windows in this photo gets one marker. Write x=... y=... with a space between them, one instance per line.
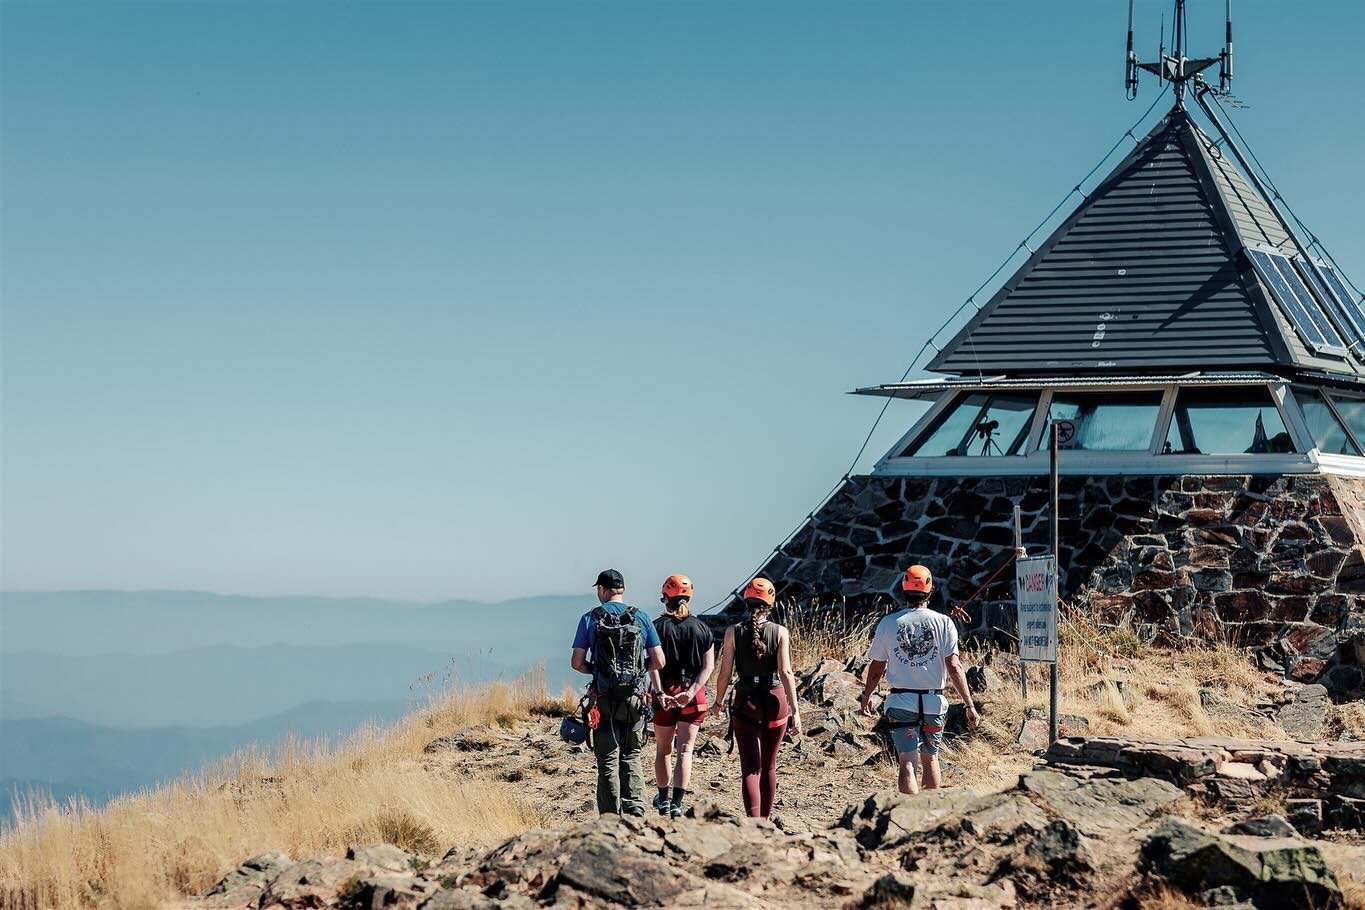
x=1273 y=563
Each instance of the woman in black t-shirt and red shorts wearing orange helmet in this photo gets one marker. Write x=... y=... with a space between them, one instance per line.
x=689 y=660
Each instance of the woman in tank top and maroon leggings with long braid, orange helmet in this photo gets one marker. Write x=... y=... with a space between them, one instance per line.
x=758 y=653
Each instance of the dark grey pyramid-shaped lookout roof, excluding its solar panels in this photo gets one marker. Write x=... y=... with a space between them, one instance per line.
x=1150 y=274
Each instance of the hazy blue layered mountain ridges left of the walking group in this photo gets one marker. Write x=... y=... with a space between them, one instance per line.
x=103 y=692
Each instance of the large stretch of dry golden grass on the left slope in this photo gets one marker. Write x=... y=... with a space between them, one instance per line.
x=147 y=849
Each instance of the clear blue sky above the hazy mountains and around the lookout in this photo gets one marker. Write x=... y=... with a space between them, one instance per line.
x=446 y=299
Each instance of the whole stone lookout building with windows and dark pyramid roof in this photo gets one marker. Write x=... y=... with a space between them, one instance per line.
x=1207 y=366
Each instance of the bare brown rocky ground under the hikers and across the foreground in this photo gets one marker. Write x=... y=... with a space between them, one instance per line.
x=1094 y=822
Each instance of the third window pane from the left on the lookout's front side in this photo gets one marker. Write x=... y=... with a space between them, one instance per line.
x=1239 y=421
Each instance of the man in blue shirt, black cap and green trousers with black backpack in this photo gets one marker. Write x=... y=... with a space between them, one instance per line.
x=620 y=736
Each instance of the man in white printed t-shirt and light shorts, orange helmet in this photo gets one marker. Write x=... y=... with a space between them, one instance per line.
x=917 y=651
